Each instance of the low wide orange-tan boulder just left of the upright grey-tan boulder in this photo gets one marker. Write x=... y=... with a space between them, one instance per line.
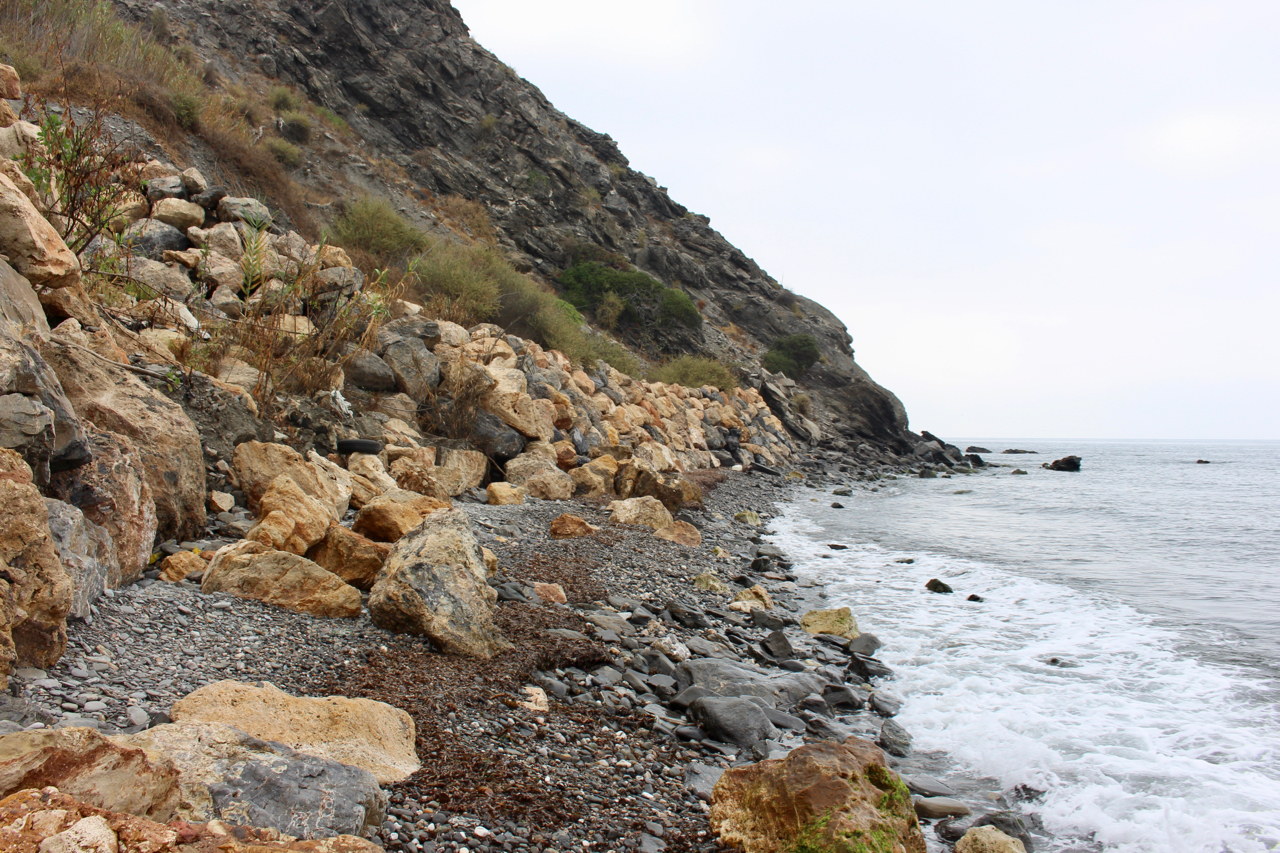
x=253 y=571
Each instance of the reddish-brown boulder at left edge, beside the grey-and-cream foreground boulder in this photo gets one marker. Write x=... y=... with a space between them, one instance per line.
x=81 y=763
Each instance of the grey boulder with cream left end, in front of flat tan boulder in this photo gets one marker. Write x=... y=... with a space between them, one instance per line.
x=228 y=776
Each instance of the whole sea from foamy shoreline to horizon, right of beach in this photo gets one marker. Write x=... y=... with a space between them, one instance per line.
x=1126 y=660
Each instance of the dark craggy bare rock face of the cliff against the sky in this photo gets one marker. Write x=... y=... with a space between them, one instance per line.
x=454 y=120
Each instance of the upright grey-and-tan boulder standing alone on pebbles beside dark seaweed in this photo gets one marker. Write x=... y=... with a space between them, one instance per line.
x=435 y=585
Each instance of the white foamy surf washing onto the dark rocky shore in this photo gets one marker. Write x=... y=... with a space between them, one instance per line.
x=1139 y=749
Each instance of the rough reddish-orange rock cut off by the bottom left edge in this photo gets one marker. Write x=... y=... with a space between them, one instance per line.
x=51 y=822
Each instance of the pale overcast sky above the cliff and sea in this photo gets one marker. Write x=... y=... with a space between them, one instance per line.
x=1037 y=220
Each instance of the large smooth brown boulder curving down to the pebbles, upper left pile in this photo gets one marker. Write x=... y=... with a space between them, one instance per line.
x=168 y=444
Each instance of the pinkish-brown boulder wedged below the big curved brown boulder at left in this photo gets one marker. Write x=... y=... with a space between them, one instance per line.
x=113 y=494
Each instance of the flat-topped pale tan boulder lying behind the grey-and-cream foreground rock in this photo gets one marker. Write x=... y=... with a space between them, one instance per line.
x=362 y=733
